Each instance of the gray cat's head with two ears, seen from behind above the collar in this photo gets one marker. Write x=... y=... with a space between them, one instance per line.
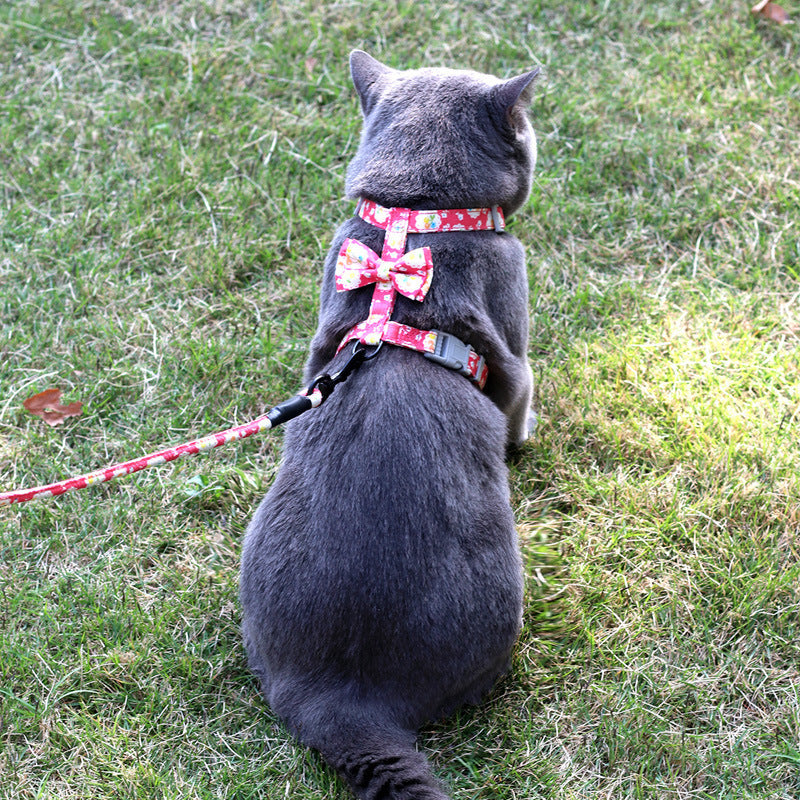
x=440 y=138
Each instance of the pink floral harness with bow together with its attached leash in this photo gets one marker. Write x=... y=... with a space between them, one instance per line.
x=393 y=272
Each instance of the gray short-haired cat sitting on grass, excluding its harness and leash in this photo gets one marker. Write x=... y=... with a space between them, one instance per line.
x=381 y=580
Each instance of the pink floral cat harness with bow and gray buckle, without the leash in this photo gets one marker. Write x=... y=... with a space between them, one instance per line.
x=410 y=274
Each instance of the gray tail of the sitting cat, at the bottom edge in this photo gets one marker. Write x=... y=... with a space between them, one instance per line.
x=379 y=762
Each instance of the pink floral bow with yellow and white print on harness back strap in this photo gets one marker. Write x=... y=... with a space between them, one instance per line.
x=358 y=265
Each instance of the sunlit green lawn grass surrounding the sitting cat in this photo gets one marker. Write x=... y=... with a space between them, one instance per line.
x=170 y=175
